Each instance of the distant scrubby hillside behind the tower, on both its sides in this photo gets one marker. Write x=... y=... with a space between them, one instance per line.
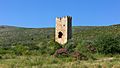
x=16 y=35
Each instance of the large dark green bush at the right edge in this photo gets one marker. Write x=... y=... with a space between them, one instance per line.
x=108 y=44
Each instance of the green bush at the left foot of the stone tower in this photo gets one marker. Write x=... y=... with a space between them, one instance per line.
x=48 y=47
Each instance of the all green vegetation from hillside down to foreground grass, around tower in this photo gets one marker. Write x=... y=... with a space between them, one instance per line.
x=34 y=47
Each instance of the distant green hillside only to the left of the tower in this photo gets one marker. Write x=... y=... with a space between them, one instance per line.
x=9 y=36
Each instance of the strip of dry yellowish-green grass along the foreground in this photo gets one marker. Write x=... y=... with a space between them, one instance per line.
x=50 y=62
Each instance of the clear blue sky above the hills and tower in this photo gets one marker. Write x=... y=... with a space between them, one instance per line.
x=42 y=13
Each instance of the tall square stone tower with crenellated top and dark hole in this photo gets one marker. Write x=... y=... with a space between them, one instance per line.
x=63 y=31
